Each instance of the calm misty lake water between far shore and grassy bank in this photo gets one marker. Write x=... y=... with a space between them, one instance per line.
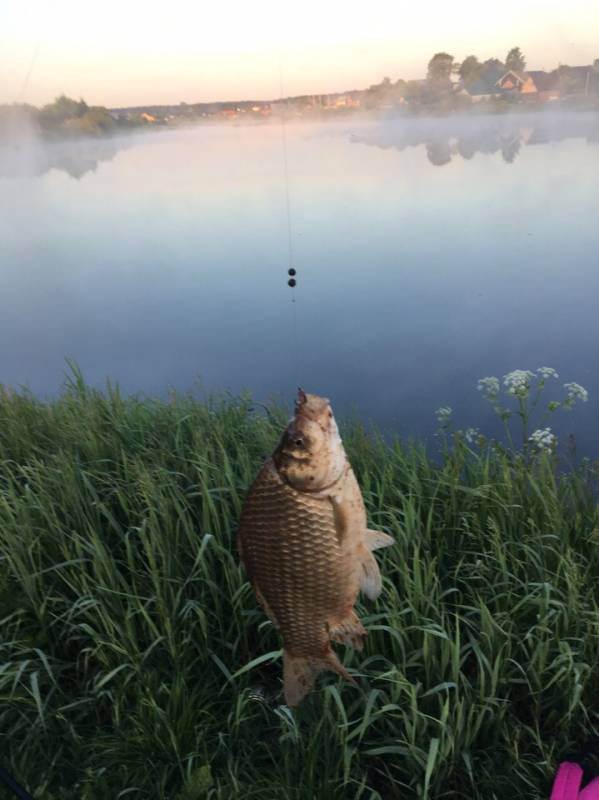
x=429 y=253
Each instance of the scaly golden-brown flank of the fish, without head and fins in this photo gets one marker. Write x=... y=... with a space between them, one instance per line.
x=292 y=555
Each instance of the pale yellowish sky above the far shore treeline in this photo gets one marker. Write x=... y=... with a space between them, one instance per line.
x=134 y=52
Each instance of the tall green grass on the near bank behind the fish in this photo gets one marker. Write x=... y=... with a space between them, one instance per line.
x=135 y=663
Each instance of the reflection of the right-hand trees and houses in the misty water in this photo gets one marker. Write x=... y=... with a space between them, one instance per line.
x=466 y=136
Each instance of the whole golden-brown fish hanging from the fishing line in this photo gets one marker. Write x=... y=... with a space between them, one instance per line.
x=305 y=545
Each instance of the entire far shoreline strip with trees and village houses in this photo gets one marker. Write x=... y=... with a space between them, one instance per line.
x=491 y=86
